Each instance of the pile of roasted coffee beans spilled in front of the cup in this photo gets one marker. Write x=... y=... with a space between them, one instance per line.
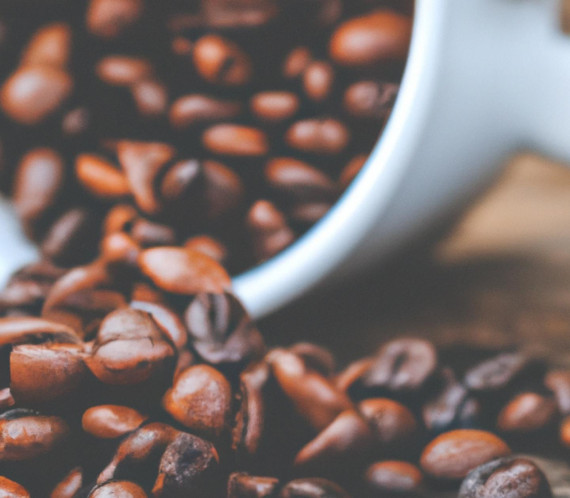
x=148 y=378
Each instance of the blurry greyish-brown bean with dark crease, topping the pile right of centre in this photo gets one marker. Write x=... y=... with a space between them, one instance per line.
x=402 y=365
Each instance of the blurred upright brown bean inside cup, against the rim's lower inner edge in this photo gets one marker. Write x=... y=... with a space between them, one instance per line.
x=268 y=229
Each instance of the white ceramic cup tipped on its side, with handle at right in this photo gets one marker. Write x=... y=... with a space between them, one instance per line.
x=483 y=78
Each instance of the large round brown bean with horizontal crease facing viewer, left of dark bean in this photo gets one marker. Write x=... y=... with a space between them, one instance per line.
x=129 y=348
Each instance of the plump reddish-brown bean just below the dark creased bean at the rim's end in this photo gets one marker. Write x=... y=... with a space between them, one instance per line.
x=201 y=400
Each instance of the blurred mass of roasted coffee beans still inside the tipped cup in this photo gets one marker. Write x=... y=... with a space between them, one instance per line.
x=230 y=126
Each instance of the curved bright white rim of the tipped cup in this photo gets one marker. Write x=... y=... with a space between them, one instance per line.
x=323 y=248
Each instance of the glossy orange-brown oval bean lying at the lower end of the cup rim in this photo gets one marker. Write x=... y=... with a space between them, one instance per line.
x=182 y=271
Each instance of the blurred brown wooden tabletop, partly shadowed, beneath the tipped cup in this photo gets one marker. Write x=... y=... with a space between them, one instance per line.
x=501 y=277
